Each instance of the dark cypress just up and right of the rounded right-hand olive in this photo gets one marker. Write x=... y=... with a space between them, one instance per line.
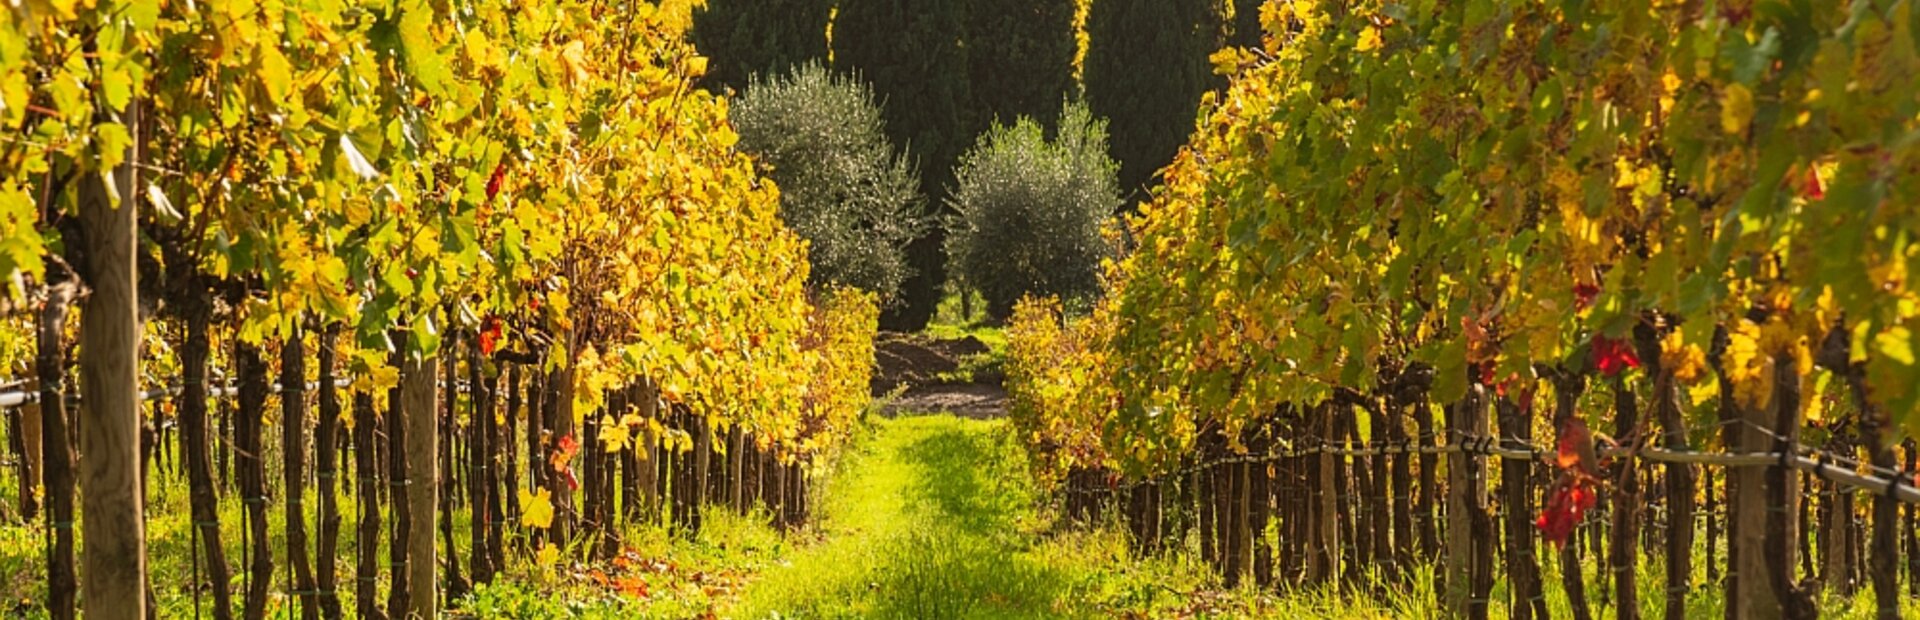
x=1147 y=68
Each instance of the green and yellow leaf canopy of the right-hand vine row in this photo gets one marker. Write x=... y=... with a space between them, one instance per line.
x=1493 y=189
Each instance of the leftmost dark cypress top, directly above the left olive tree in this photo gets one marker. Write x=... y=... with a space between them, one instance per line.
x=754 y=37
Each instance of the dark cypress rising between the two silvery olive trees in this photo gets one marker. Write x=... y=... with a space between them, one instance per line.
x=913 y=55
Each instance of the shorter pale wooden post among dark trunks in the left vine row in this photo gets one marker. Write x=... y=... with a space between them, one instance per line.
x=420 y=385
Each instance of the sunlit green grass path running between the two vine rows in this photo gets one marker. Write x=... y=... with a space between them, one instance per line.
x=934 y=519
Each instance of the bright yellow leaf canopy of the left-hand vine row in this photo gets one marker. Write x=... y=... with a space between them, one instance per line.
x=412 y=168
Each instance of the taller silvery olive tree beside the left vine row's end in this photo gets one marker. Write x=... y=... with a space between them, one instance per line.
x=842 y=185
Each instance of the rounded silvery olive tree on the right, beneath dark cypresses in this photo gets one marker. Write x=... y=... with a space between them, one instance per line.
x=1032 y=210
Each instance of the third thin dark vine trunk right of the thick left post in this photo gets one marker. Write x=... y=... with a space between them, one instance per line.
x=295 y=469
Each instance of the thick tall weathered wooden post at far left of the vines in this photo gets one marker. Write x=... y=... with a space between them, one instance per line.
x=110 y=391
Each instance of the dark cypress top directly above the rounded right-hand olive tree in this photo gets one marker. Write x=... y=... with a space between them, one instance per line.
x=1020 y=59
